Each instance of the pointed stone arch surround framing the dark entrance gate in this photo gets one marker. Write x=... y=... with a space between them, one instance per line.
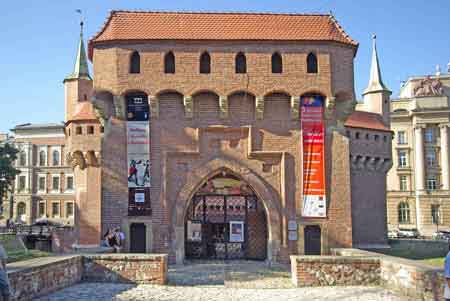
x=197 y=177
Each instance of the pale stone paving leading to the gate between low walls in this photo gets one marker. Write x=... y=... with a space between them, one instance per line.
x=220 y=281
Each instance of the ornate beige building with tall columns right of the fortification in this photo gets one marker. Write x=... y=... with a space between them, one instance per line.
x=419 y=183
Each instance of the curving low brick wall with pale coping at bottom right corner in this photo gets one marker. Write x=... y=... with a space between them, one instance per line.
x=408 y=277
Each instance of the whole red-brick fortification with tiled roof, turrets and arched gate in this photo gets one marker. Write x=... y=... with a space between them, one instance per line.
x=204 y=117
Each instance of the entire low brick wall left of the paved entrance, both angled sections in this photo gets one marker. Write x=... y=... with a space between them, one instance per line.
x=37 y=277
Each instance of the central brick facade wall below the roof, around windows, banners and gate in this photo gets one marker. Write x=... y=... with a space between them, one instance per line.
x=186 y=151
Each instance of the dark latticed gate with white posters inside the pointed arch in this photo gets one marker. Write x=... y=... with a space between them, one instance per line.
x=225 y=220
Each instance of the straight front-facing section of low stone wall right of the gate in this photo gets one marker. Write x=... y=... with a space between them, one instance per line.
x=334 y=270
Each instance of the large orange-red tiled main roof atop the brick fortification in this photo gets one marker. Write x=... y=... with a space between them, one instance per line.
x=141 y=25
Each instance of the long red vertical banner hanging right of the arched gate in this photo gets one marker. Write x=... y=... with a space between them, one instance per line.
x=314 y=194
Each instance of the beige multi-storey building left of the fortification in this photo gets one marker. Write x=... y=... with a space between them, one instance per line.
x=45 y=186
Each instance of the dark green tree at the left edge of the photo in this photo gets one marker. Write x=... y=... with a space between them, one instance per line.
x=8 y=154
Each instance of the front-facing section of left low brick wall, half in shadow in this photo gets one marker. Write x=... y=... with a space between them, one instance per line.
x=126 y=268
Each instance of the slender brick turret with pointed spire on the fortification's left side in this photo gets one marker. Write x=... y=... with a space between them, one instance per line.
x=83 y=135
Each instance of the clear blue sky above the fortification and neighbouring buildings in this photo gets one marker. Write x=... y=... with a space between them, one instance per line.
x=39 y=40
